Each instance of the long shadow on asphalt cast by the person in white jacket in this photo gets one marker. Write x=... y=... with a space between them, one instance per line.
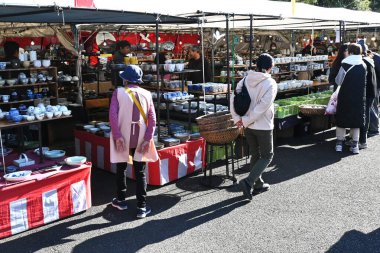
x=155 y=231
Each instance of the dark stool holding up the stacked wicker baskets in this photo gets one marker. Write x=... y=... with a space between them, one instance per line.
x=210 y=151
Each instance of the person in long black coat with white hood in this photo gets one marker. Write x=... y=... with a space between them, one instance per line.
x=350 y=111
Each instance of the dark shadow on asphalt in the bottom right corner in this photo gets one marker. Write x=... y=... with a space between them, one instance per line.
x=356 y=241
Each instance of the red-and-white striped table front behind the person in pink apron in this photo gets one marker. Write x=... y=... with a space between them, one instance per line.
x=174 y=162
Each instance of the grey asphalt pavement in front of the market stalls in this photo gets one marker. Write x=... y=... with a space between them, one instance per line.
x=319 y=201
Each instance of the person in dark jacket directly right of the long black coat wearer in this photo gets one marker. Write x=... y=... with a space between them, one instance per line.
x=371 y=94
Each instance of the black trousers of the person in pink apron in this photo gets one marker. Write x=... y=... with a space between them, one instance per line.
x=141 y=185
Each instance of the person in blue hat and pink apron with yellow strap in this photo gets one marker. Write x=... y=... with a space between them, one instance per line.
x=132 y=119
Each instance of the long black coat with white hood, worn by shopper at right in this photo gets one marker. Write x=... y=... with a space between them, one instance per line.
x=352 y=94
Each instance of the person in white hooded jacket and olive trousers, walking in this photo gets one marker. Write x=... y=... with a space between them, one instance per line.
x=258 y=122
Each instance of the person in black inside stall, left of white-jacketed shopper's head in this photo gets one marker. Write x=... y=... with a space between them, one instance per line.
x=195 y=62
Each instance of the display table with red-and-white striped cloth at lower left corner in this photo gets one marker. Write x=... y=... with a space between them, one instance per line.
x=47 y=197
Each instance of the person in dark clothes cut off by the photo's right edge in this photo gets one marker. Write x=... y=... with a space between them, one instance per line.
x=374 y=112
